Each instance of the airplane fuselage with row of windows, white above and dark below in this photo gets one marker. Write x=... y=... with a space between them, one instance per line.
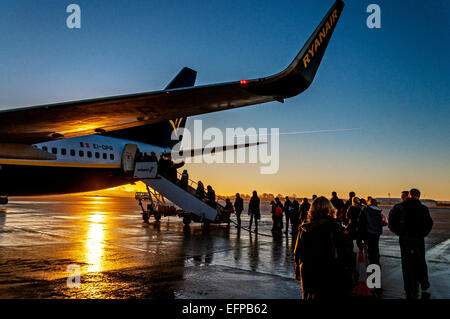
x=84 y=163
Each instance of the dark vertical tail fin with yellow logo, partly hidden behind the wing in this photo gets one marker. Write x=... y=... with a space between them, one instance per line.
x=160 y=134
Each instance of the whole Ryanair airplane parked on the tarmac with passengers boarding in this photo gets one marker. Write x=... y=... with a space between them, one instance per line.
x=79 y=146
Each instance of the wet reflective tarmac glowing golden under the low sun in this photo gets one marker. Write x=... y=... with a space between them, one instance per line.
x=120 y=257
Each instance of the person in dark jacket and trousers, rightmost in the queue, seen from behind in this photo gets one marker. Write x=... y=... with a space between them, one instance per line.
x=412 y=222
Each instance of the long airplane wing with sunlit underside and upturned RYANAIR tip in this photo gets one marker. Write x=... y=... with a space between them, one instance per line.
x=63 y=120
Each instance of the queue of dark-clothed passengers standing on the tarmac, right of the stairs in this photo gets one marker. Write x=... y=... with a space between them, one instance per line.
x=329 y=232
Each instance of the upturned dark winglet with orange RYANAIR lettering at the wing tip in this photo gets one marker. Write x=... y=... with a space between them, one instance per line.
x=299 y=75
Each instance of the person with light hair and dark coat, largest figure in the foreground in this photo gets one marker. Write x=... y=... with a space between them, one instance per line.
x=323 y=254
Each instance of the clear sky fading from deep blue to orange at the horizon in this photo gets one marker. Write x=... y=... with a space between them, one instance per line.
x=392 y=82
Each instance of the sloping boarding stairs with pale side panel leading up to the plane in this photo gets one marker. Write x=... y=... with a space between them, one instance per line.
x=184 y=198
